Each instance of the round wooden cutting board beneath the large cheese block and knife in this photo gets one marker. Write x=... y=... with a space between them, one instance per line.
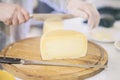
x=30 y=49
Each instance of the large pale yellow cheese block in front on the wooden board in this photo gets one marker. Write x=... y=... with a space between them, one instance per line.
x=63 y=44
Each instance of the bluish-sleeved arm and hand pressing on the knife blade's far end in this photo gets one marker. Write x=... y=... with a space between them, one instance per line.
x=77 y=8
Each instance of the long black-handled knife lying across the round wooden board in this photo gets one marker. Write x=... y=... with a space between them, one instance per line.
x=9 y=60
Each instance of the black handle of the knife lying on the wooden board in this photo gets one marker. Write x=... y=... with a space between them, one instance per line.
x=8 y=60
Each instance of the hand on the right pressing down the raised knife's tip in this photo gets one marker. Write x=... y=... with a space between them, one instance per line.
x=84 y=10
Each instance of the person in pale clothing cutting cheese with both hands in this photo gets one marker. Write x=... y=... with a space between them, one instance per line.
x=18 y=15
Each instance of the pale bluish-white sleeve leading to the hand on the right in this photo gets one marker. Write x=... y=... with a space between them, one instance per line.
x=58 y=5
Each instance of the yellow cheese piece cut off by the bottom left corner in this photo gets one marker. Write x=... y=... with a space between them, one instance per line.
x=5 y=76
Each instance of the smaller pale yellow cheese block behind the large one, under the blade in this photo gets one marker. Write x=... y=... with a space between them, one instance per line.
x=52 y=24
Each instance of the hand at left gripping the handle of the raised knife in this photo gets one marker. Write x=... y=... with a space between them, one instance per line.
x=12 y=14
